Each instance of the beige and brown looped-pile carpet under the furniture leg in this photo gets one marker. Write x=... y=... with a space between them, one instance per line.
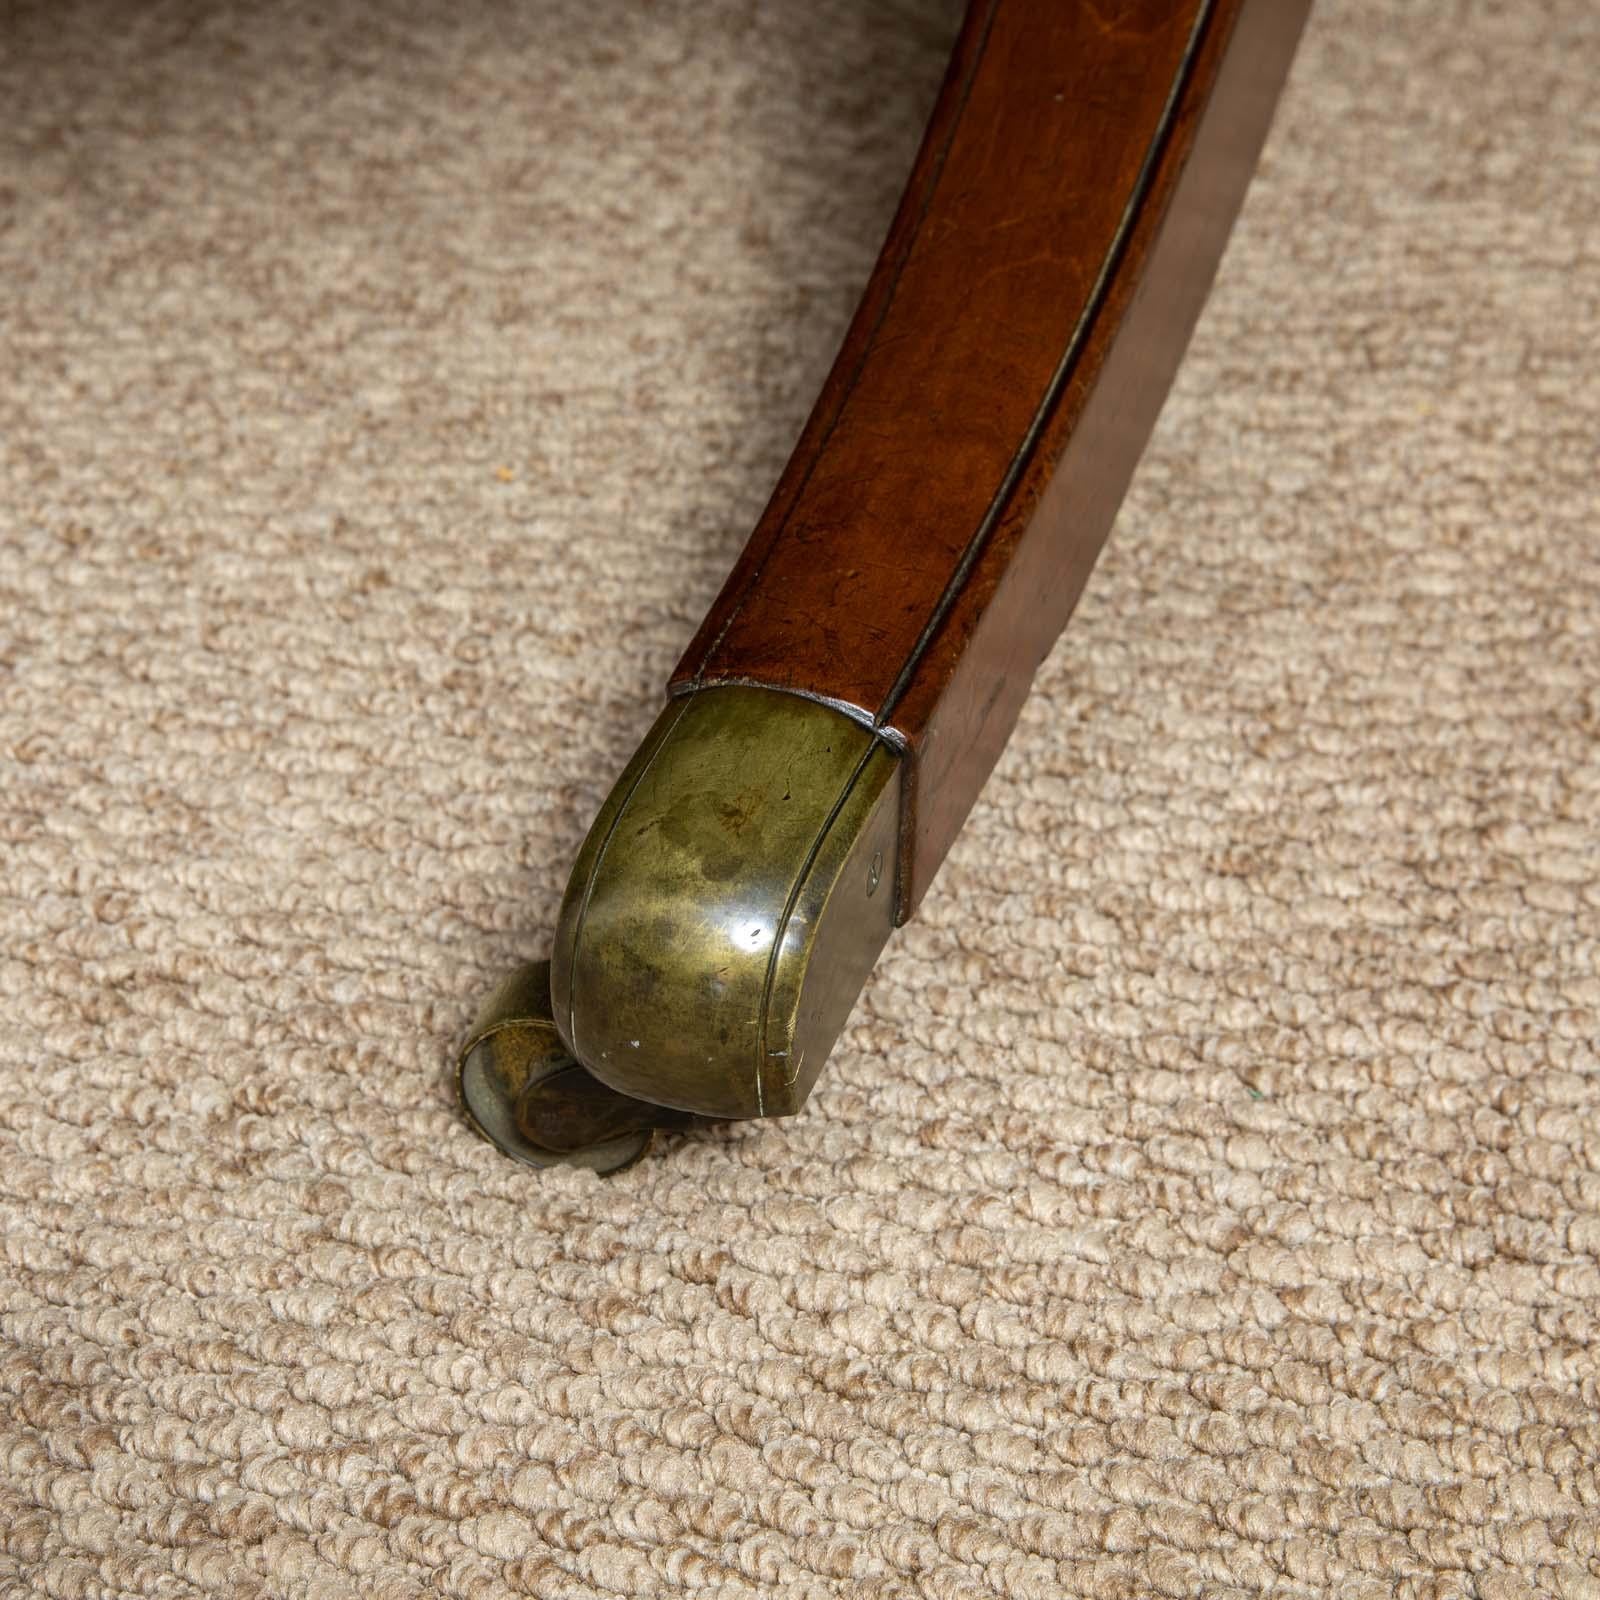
x=1207 y=1196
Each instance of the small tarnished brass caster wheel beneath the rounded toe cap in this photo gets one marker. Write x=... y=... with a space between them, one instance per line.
x=526 y=1094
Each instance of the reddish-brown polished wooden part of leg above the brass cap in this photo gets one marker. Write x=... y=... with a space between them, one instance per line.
x=970 y=449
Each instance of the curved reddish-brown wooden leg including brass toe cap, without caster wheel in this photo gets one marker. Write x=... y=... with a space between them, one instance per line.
x=850 y=690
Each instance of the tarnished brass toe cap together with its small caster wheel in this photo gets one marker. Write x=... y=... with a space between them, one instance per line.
x=719 y=924
